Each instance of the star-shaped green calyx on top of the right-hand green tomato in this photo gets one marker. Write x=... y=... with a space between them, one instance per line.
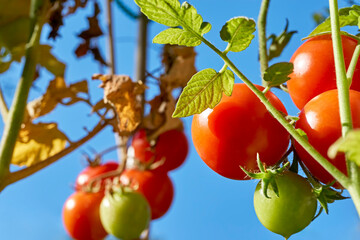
x=267 y=176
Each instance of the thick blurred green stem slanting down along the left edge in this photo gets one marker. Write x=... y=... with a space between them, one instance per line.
x=18 y=106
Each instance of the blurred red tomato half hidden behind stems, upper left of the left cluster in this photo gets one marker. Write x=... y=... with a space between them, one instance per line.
x=91 y=172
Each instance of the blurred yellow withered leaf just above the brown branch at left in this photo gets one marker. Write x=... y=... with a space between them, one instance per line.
x=37 y=142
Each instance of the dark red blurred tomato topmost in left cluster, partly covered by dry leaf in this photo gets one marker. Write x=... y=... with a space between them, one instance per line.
x=172 y=146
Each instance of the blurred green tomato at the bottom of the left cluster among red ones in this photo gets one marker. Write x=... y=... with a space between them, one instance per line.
x=125 y=214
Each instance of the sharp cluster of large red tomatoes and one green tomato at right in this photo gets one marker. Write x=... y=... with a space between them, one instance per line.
x=240 y=127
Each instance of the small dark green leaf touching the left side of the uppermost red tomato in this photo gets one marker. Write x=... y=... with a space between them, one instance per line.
x=278 y=73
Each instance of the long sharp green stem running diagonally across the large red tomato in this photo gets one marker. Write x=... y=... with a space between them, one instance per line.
x=342 y=178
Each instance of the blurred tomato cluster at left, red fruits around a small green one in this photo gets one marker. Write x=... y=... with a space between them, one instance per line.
x=124 y=208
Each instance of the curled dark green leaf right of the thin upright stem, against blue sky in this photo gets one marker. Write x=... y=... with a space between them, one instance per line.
x=278 y=43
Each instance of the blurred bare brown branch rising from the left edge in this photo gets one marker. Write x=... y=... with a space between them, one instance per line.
x=23 y=173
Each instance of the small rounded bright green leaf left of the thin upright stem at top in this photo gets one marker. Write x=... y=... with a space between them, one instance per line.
x=238 y=32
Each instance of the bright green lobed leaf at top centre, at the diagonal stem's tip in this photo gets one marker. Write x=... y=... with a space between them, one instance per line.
x=170 y=13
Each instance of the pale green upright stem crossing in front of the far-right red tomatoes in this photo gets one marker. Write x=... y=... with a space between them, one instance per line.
x=344 y=99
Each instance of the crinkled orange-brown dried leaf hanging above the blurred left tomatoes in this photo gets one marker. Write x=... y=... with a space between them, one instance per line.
x=123 y=94
